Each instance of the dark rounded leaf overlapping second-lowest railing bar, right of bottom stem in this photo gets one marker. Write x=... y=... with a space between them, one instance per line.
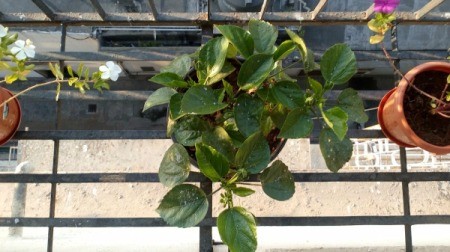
x=277 y=181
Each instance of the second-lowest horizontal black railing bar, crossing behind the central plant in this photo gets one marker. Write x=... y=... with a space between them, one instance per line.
x=198 y=177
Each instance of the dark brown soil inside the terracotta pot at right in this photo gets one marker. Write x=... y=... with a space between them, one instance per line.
x=432 y=128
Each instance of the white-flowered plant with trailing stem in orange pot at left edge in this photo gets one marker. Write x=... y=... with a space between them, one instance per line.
x=15 y=54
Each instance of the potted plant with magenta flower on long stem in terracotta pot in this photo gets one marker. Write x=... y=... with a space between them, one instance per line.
x=417 y=112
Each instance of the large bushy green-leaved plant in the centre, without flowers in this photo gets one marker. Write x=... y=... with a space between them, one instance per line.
x=230 y=105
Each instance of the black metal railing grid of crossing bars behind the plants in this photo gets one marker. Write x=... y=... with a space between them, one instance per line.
x=205 y=20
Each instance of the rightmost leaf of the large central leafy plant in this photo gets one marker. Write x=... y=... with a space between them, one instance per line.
x=352 y=104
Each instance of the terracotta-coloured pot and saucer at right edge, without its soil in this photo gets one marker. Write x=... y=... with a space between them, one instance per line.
x=391 y=115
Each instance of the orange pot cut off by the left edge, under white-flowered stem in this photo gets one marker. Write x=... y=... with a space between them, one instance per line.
x=10 y=116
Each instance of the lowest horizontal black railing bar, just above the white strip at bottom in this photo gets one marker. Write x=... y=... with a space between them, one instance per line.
x=211 y=222
